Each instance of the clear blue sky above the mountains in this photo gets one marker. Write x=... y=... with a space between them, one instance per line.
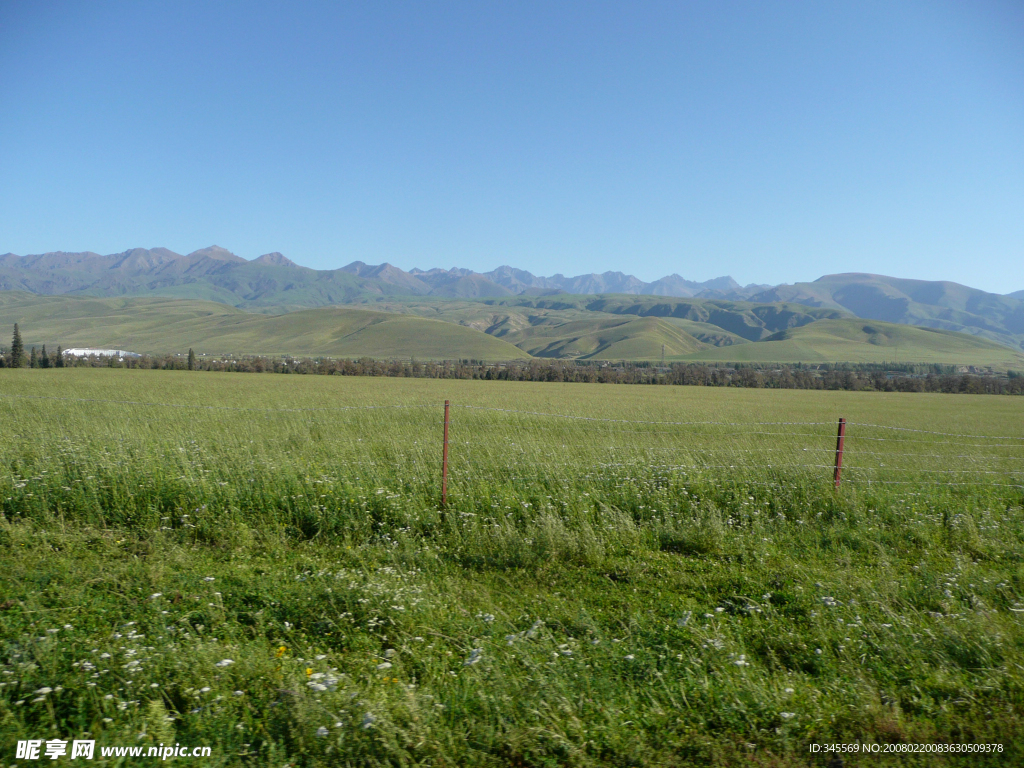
x=771 y=142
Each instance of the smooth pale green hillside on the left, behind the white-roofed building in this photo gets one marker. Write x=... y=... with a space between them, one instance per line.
x=151 y=325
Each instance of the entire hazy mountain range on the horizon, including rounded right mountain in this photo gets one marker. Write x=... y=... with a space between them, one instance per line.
x=275 y=284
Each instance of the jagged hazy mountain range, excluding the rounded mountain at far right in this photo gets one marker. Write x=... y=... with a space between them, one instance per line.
x=273 y=277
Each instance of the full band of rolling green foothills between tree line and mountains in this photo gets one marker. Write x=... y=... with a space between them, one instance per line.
x=587 y=328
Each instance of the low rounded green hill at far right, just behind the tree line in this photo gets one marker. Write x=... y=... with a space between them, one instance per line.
x=869 y=342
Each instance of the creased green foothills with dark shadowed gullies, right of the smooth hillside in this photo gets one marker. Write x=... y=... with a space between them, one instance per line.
x=596 y=328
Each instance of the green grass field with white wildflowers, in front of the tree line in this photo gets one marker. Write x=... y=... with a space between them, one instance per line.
x=260 y=565
